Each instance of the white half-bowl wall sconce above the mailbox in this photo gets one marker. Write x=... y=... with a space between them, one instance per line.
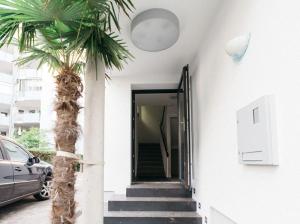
x=237 y=47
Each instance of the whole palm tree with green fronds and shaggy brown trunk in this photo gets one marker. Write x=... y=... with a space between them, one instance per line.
x=63 y=34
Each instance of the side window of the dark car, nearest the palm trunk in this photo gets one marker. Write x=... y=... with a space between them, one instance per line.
x=15 y=152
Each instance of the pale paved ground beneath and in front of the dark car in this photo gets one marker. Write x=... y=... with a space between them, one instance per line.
x=29 y=210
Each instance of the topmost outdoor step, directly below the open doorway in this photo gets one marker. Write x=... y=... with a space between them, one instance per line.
x=158 y=190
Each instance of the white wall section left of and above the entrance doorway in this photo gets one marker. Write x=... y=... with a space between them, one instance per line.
x=118 y=125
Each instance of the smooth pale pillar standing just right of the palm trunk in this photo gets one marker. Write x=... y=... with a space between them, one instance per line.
x=94 y=142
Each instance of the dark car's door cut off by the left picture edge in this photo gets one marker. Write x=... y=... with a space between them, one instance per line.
x=6 y=178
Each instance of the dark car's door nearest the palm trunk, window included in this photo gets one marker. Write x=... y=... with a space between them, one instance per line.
x=26 y=176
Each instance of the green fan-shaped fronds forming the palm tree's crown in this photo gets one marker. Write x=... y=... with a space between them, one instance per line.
x=66 y=26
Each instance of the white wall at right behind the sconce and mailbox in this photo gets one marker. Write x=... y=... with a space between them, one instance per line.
x=248 y=194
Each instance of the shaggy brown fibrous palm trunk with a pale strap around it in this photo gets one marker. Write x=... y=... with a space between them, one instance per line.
x=69 y=88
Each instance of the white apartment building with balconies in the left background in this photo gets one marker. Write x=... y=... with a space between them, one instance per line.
x=20 y=94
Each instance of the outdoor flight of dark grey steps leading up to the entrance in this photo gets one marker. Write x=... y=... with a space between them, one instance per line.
x=153 y=203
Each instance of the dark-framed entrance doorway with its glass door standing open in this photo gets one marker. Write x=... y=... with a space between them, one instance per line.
x=161 y=134
